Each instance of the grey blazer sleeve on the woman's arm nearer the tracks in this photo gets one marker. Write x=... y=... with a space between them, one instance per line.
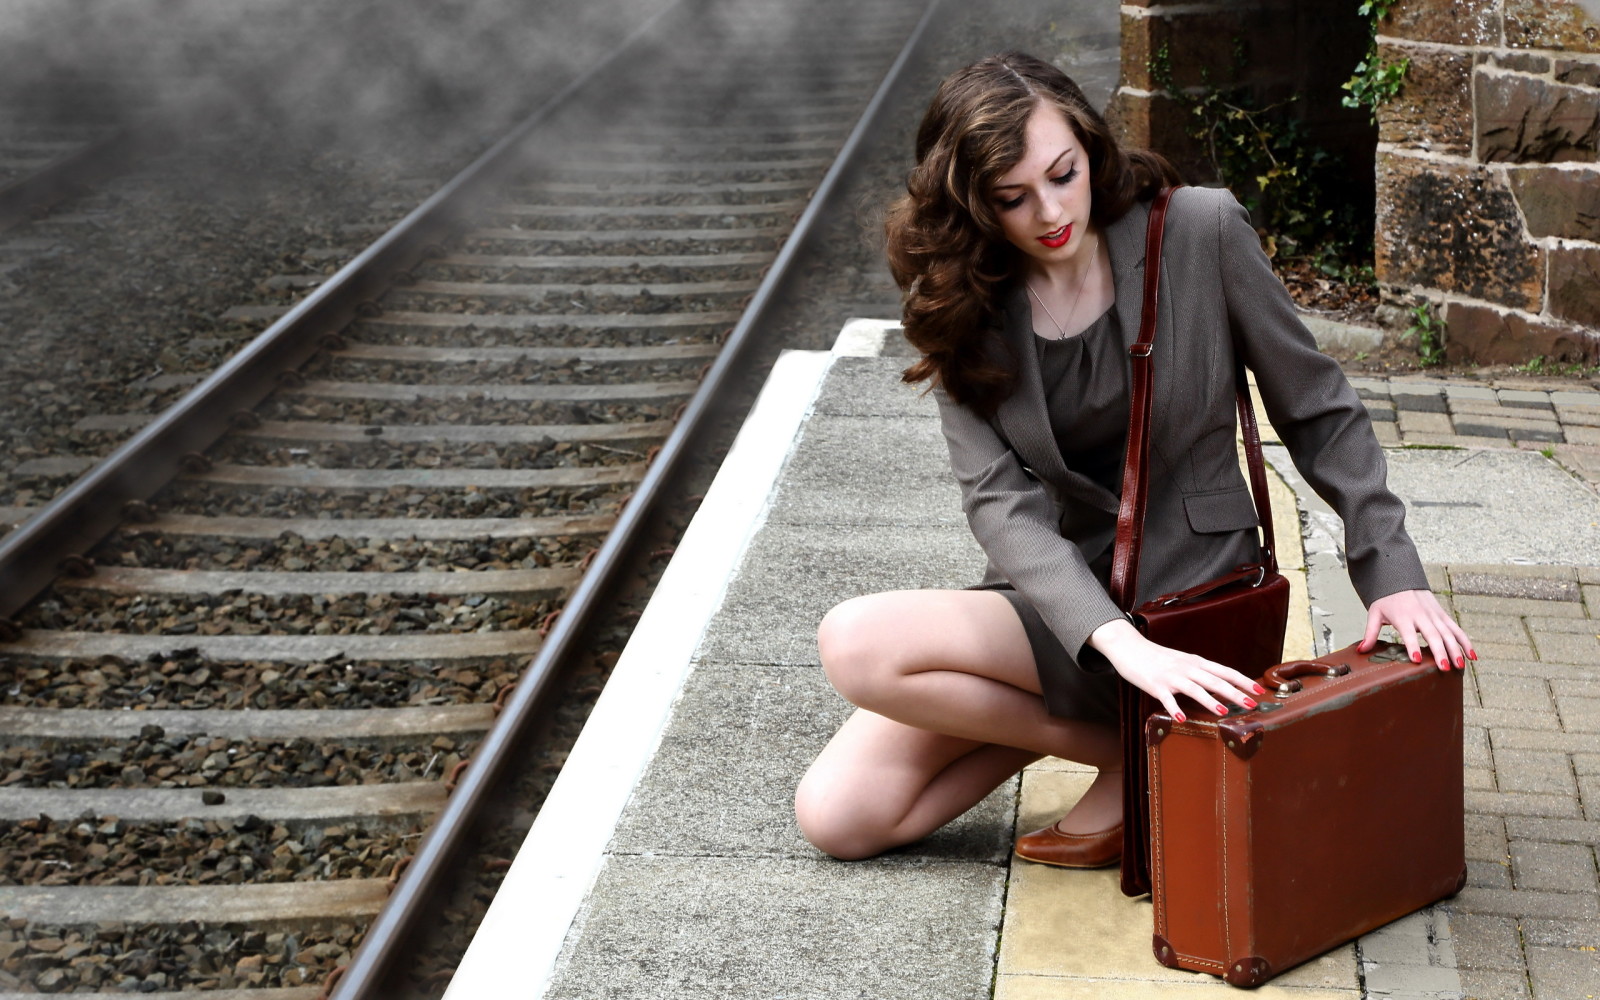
x=1017 y=524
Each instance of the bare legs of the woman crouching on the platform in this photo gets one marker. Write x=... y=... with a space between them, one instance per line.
x=951 y=708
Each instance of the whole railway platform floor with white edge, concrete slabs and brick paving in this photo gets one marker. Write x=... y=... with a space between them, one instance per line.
x=666 y=862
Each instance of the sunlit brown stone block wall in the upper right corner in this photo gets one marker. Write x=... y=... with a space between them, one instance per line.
x=1489 y=186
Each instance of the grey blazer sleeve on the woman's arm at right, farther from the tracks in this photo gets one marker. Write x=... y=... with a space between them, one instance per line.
x=1316 y=412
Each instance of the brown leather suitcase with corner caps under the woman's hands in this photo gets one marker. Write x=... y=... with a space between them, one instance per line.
x=1330 y=810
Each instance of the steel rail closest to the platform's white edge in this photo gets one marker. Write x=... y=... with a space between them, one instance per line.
x=390 y=934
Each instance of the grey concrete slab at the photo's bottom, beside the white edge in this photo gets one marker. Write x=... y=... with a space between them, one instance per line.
x=689 y=929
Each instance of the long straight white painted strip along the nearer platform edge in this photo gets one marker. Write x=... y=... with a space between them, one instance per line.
x=516 y=948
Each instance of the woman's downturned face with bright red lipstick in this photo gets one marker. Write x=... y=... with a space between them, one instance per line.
x=1044 y=202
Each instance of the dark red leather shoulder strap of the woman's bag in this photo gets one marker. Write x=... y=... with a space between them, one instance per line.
x=1137 y=465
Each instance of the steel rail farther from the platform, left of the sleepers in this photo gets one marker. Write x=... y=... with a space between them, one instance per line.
x=31 y=558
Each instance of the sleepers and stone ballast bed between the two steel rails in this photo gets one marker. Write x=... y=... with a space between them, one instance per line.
x=230 y=724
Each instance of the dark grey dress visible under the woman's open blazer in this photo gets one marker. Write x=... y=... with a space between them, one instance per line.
x=1086 y=382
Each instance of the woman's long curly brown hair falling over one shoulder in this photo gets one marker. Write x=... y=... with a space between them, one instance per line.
x=945 y=246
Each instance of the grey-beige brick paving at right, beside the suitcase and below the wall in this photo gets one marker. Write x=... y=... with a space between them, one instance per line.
x=1529 y=922
